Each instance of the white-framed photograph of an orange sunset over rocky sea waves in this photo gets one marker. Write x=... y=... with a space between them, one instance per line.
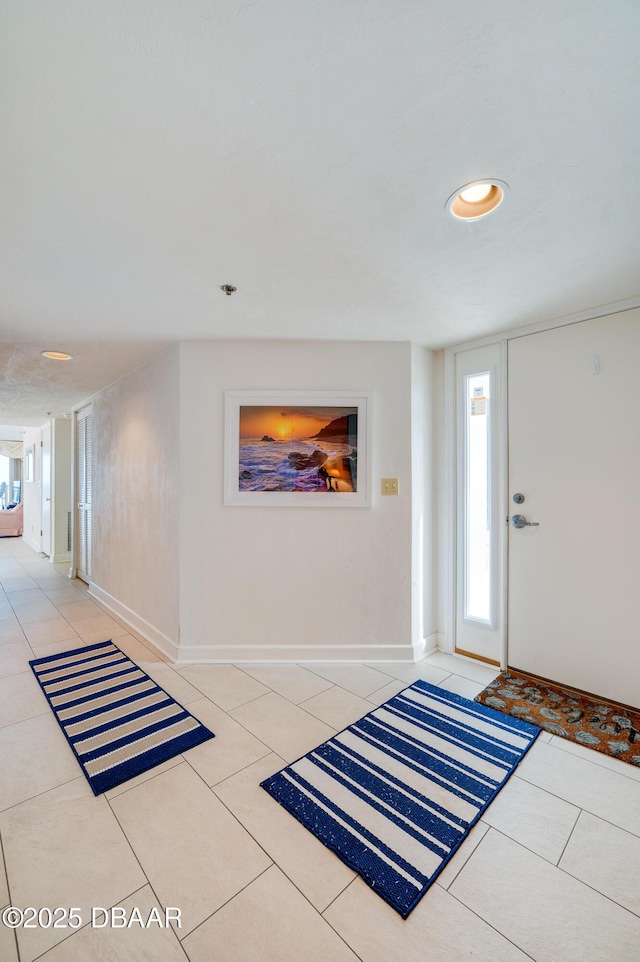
x=286 y=448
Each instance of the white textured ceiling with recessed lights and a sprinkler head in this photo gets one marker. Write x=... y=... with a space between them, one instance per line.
x=152 y=150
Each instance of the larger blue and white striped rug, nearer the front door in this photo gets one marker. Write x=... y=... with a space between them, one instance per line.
x=396 y=793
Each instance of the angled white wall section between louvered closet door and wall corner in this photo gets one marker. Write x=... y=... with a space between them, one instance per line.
x=135 y=499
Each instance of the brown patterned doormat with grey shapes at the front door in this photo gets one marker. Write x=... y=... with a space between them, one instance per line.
x=586 y=719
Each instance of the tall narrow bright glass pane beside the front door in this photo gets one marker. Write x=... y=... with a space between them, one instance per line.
x=478 y=499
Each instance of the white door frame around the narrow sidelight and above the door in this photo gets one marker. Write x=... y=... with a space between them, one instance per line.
x=450 y=472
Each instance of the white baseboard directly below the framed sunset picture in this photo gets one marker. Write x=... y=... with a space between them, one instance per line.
x=212 y=654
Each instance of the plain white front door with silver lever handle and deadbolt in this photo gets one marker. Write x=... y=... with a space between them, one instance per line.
x=574 y=457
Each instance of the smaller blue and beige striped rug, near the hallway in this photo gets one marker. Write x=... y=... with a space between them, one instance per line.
x=118 y=722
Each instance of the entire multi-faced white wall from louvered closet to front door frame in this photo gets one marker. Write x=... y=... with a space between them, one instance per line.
x=208 y=582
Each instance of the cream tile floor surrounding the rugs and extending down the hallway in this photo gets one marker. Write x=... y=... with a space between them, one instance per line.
x=551 y=873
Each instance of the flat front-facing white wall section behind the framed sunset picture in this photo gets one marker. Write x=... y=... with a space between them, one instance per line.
x=294 y=583
